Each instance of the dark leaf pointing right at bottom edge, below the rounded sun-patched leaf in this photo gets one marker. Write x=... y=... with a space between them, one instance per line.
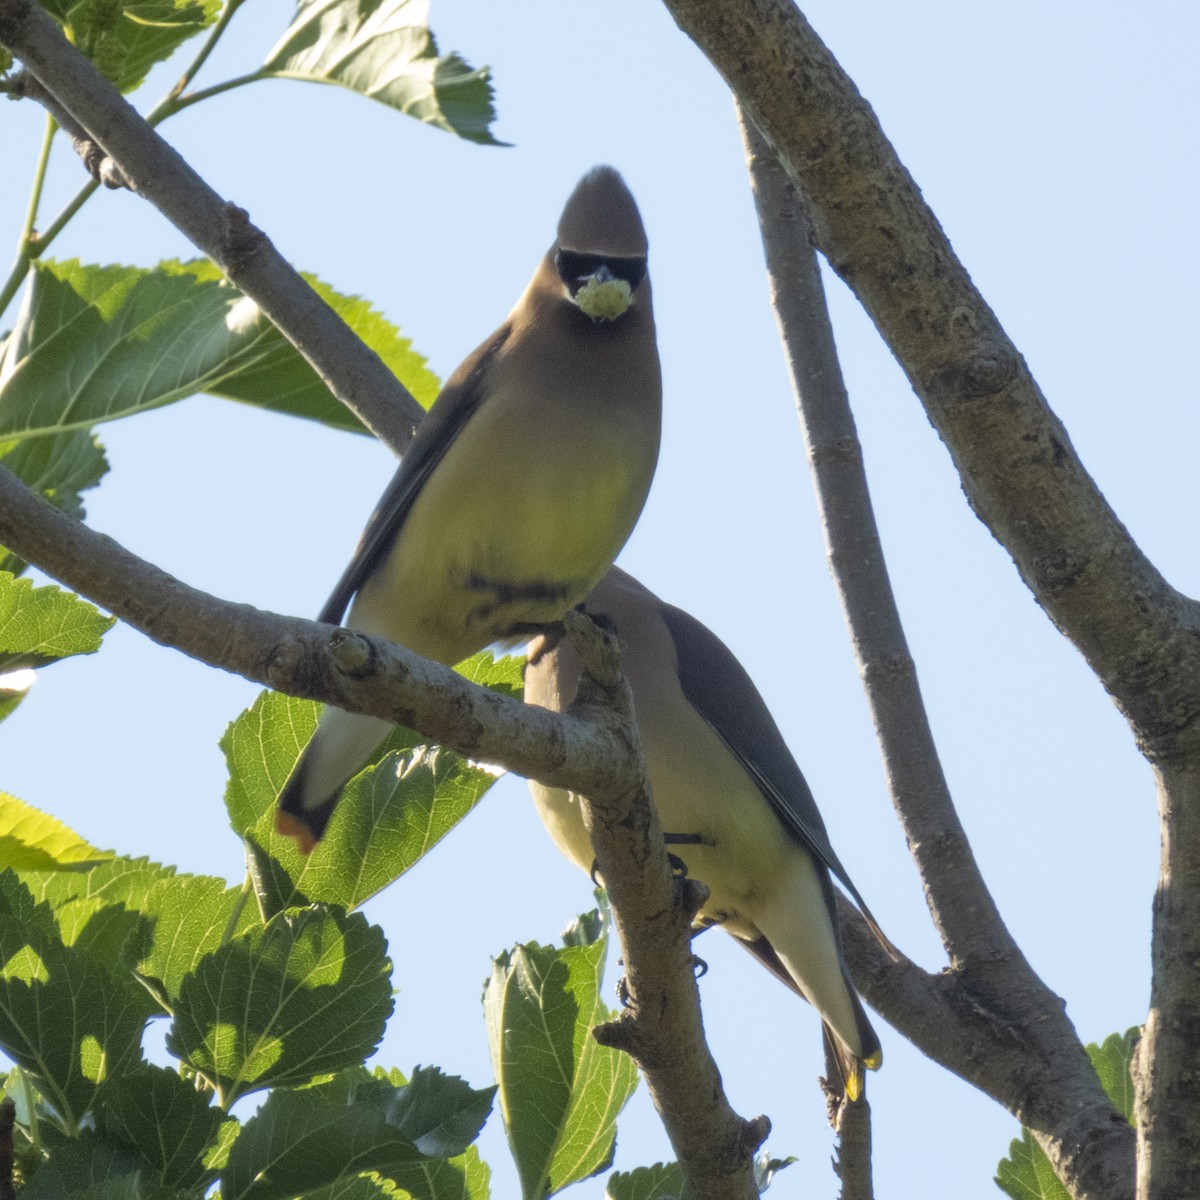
x=298 y=1143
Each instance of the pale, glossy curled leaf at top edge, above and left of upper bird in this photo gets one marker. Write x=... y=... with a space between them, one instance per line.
x=383 y=50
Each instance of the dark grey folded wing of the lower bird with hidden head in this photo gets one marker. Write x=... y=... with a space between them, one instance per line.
x=719 y=688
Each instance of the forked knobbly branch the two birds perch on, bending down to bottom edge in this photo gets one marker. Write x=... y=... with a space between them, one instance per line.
x=596 y=755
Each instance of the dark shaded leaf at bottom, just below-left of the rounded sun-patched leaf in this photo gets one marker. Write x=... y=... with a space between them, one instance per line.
x=169 y=1123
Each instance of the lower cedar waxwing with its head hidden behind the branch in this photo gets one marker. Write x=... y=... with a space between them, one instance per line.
x=731 y=801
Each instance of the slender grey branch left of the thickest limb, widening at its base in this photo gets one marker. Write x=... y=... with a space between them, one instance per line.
x=1022 y=1051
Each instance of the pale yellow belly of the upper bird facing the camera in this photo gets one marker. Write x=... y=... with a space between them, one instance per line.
x=477 y=566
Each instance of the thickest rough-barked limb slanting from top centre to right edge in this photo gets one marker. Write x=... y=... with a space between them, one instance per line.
x=1018 y=467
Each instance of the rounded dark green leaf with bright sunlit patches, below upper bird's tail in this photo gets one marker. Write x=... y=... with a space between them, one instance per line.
x=309 y=993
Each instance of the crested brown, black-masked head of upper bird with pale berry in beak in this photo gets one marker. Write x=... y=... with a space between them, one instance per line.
x=601 y=254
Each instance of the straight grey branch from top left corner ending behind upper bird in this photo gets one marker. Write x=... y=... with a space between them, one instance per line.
x=353 y=374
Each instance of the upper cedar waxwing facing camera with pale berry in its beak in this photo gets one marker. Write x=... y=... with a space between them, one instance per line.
x=520 y=487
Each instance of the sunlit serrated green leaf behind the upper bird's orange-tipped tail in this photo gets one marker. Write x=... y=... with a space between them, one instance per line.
x=391 y=815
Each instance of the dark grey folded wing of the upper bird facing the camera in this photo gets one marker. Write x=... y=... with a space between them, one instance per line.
x=458 y=401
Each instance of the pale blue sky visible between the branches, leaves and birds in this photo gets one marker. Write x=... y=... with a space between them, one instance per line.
x=1058 y=147
